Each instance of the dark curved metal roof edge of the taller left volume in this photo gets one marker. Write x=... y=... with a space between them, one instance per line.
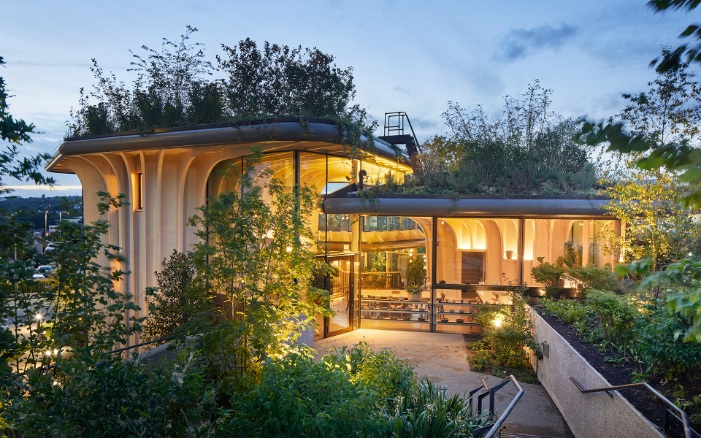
x=313 y=134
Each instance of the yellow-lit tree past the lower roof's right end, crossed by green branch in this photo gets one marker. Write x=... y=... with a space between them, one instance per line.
x=649 y=201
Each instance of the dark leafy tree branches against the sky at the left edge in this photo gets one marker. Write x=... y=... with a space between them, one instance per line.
x=15 y=132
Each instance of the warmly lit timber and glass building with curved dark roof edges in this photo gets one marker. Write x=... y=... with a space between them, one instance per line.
x=474 y=248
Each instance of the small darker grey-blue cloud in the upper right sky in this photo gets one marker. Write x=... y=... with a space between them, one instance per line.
x=520 y=43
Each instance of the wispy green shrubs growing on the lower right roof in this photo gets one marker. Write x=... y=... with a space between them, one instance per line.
x=527 y=150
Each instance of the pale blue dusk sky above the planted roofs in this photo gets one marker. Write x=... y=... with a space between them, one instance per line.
x=412 y=56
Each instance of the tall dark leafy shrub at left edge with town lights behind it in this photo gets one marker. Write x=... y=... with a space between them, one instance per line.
x=76 y=309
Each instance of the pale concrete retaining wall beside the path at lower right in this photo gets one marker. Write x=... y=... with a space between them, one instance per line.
x=593 y=415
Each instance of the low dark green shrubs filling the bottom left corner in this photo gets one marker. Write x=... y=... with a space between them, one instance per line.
x=93 y=394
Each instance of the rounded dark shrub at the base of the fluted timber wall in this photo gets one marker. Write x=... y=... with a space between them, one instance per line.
x=179 y=304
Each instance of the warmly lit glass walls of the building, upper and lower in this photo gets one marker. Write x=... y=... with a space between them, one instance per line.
x=468 y=261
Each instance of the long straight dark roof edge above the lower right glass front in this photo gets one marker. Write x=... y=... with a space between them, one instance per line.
x=467 y=207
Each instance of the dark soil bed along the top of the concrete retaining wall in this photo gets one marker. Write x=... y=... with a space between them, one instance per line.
x=619 y=370
